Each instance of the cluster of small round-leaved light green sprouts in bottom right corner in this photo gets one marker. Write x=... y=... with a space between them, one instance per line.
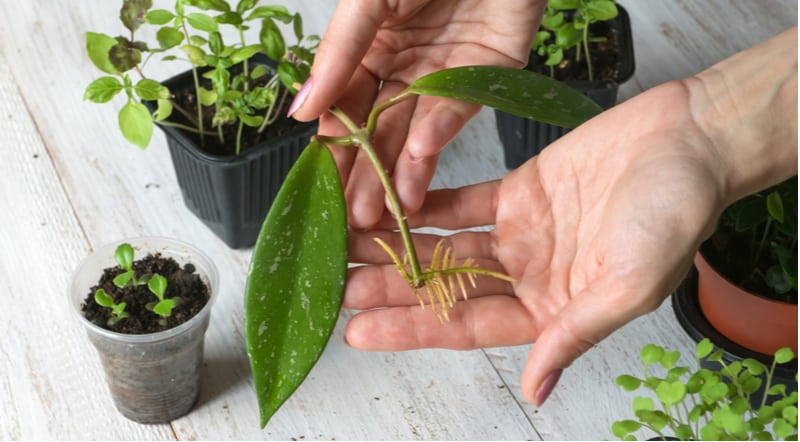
x=706 y=404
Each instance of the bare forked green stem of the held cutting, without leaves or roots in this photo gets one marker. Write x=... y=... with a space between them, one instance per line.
x=362 y=137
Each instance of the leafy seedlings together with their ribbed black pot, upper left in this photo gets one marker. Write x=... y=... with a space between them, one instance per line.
x=225 y=117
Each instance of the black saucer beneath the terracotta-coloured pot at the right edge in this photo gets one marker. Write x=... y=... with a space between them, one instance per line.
x=687 y=310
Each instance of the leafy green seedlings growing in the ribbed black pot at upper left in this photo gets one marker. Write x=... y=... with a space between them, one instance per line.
x=250 y=96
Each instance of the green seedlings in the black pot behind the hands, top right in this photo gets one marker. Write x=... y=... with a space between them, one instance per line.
x=565 y=25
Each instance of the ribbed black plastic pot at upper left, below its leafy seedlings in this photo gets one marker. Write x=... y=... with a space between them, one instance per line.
x=232 y=194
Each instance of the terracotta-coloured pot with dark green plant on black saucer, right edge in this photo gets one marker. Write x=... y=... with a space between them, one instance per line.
x=742 y=291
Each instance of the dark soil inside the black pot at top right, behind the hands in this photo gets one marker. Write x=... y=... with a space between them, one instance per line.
x=605 y=57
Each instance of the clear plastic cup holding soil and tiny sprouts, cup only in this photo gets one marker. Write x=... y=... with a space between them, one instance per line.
x=153 y=378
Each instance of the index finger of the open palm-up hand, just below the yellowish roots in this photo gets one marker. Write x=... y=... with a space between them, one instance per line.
x=489 y=321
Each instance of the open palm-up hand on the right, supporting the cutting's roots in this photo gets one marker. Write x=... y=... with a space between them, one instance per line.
x=596 y=231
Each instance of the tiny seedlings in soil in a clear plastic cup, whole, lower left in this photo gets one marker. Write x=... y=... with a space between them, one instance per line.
x=147 y=319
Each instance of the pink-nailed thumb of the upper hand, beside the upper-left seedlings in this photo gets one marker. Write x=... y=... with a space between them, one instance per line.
x=350 y=33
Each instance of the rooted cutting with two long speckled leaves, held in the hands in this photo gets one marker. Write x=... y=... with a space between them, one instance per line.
x=297 y=275
